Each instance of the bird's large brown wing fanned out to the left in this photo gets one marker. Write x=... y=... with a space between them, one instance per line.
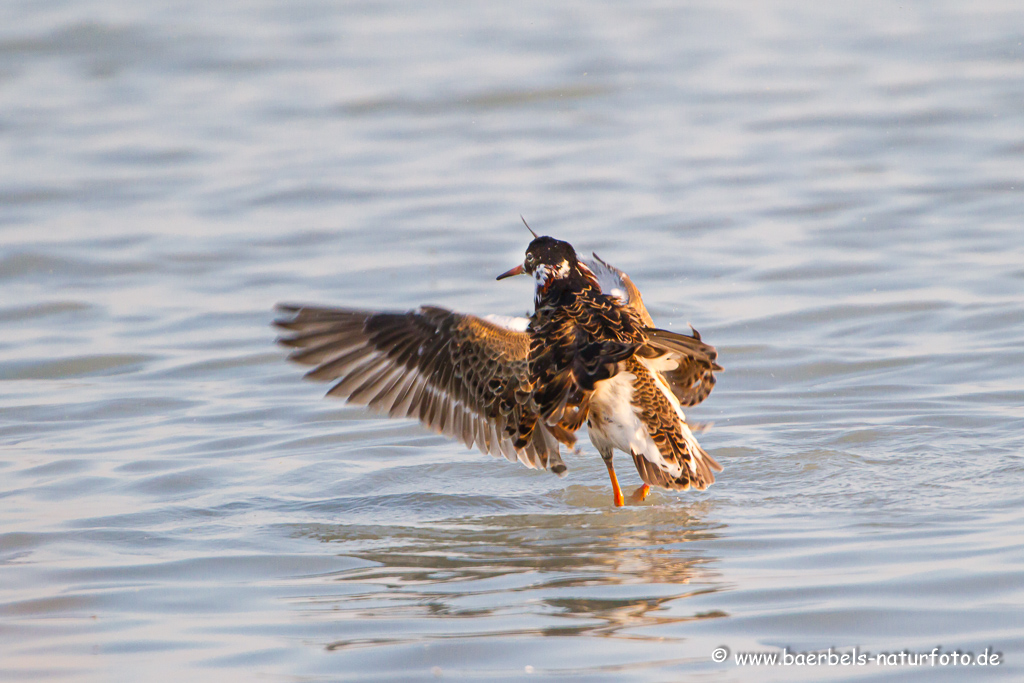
x=458 y=374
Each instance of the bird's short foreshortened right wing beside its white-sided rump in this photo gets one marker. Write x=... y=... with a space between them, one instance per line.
x=693 y=378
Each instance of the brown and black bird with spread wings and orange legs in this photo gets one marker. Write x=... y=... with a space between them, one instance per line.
x=524 y=388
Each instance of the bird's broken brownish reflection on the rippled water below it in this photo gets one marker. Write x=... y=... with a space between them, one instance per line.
x=599 y=574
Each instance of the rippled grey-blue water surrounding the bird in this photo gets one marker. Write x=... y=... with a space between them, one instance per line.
x=832 y=196
